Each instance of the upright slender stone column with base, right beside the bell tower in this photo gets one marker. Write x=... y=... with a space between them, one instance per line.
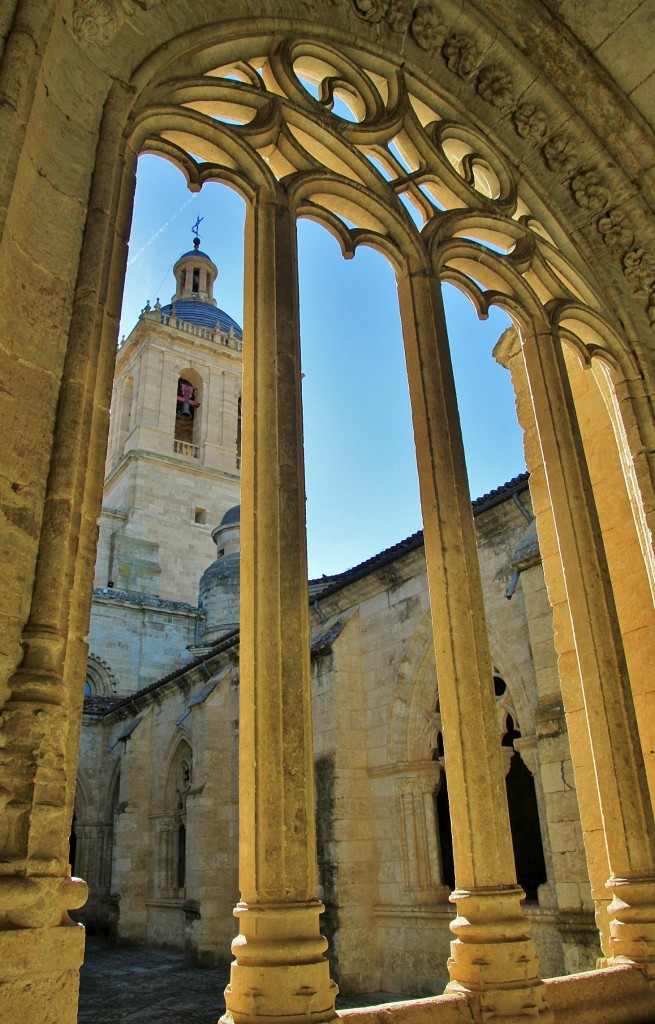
x=280 y=970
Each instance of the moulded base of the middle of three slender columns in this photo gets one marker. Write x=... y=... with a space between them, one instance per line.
x=493 y=960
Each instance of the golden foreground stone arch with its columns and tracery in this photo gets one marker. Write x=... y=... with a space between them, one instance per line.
x=425 y=174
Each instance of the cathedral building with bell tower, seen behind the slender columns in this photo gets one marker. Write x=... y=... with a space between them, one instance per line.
x=156 y=819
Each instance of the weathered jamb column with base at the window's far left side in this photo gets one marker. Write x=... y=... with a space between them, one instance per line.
x=43 y=709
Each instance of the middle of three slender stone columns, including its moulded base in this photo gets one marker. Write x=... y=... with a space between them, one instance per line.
x=493 y=956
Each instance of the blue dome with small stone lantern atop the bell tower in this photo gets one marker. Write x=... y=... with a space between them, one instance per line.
x=194 y=302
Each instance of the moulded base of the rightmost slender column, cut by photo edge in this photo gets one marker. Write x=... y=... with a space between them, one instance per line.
x=632 y=918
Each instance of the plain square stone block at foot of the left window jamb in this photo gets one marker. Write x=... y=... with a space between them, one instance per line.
x=40 y=973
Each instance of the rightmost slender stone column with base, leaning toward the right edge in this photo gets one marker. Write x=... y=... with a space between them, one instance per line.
x=626 y=804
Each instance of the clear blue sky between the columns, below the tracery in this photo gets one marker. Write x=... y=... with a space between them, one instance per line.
x=363 y=493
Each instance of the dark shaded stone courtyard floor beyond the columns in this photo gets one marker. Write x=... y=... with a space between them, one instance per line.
x=154 y=987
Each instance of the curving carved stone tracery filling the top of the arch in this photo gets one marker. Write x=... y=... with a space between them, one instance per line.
x=407 y=161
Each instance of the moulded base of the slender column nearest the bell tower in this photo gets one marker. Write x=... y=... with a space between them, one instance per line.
x=280 y=972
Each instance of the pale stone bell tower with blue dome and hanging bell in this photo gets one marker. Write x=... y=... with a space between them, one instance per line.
x=173 y=465
